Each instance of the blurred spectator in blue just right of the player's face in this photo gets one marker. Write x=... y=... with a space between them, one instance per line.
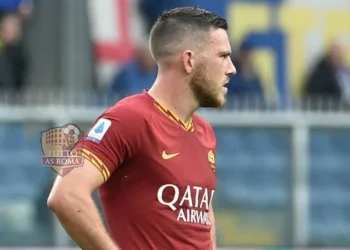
x=246 y=84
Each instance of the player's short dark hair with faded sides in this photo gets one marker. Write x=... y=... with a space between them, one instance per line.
x=173 y=26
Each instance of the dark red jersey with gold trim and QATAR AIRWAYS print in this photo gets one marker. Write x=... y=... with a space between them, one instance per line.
x=159 y=175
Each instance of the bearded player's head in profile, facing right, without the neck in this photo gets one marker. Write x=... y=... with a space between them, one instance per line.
x=195 y=43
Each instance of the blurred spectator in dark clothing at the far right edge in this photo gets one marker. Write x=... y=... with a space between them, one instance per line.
x=330 y=78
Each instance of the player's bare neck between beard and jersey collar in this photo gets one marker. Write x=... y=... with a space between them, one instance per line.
x=176 y=97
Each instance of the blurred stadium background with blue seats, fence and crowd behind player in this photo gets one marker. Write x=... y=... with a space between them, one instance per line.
x=283 y=137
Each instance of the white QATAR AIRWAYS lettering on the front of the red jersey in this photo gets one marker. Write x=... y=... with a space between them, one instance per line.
x=190 y=206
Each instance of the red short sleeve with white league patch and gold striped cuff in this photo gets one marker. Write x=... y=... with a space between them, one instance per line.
x=115 y=137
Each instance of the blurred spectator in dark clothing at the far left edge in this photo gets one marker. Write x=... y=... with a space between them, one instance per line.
x=13 y=60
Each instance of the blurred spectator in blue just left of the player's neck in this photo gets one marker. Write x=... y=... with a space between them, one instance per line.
x=136 y=75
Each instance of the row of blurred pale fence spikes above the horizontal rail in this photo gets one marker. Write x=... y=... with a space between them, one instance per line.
x=44 y=97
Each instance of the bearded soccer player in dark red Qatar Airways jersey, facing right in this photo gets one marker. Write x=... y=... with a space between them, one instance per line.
x=151 y=158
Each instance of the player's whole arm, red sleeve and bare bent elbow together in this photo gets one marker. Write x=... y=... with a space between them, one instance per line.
x=107 y=146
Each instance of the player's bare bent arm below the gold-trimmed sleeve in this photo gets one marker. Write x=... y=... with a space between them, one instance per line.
x=71 y=201
